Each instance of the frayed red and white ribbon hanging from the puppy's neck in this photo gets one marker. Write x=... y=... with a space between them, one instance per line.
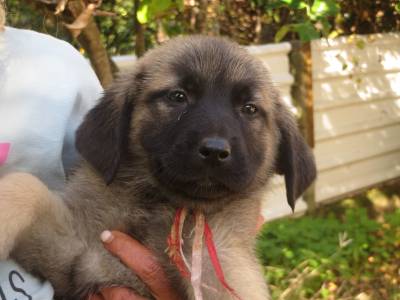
x=201 y=231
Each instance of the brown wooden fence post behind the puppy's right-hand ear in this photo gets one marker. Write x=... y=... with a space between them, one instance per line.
x=301 y=69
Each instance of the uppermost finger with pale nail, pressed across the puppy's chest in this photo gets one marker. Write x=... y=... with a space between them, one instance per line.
x=140 y=260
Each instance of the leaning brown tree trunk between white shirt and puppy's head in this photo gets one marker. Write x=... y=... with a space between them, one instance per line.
x=90 y=39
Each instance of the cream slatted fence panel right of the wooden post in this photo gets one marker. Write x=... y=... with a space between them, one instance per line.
x=356 y=90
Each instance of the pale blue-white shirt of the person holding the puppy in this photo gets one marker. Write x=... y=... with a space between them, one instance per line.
x=46 y=87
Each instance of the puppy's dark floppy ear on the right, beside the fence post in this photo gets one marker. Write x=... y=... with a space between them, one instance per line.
x=295 y=158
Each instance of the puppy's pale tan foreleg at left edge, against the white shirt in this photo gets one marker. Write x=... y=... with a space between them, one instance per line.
x=22 y=198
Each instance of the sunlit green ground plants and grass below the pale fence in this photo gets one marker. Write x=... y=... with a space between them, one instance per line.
x=347 y=250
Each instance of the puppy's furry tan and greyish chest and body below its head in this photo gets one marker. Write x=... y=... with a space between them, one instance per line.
x=91 y=207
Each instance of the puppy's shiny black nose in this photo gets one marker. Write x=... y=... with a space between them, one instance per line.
x=215 y=149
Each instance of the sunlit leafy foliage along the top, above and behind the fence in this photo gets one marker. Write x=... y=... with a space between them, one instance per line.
x=247 y=22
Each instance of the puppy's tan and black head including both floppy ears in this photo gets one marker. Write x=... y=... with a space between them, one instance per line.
x=202 y=117
